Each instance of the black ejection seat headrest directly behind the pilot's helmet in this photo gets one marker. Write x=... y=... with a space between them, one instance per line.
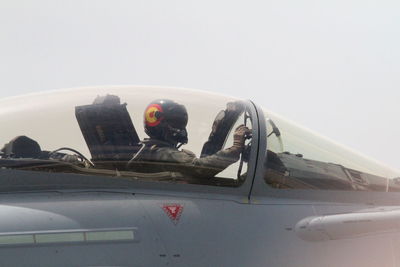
x=108 y=129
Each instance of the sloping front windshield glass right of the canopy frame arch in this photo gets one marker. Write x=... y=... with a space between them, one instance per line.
x=301 y=159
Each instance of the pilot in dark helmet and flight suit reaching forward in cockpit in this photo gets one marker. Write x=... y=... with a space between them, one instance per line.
x=165 y=123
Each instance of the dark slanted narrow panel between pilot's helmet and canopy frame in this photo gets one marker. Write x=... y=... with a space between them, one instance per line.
x=222 y=125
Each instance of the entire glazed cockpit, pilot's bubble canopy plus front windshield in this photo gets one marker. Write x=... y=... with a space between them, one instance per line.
x=176 y=136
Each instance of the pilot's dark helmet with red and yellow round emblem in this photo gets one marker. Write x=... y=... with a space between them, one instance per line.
x=166 y=120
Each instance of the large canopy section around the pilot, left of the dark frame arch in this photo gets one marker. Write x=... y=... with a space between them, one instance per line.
x=152 y=134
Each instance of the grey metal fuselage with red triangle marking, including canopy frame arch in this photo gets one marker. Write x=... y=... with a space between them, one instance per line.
x=60 y=219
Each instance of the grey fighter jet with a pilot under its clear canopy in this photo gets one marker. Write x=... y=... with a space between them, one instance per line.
x=157 y=176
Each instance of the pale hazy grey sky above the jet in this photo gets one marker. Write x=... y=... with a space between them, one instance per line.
x=331 y=66
